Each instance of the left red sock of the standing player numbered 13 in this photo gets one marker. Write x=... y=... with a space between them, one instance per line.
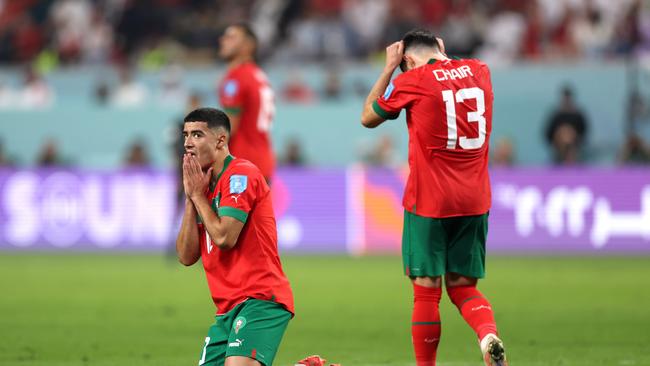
x=425 y=326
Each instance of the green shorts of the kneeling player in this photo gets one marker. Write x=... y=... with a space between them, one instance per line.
x=252 y=329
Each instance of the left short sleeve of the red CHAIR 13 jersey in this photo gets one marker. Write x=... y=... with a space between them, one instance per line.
x=399 y=94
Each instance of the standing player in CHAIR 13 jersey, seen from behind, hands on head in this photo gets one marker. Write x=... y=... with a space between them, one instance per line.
x=448 y=106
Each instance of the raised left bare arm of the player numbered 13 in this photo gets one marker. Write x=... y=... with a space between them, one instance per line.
x=394 y=55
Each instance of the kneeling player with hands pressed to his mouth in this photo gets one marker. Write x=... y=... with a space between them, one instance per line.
x=229 y=224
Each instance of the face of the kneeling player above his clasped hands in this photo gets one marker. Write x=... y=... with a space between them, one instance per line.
x=202 y=142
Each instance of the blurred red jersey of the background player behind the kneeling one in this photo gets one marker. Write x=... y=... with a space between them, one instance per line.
x=245 y=92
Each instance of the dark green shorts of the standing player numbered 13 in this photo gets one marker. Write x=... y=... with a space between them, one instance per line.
x=433 y=247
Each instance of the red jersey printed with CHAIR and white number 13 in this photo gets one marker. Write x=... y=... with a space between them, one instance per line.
x=449 y=117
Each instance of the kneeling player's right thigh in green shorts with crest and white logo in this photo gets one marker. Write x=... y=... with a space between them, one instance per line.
x=257 y=331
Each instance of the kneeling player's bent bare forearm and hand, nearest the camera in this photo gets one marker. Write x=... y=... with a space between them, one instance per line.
x=224 y=231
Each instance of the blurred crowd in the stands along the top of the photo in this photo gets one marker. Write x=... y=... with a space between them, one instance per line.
x=152 y=32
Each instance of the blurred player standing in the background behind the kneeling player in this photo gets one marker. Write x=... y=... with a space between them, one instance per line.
x=247 y=98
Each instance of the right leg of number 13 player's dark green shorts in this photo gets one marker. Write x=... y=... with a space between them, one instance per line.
x=466 y=250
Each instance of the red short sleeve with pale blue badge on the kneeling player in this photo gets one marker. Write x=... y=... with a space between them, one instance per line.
x=237 y=194
